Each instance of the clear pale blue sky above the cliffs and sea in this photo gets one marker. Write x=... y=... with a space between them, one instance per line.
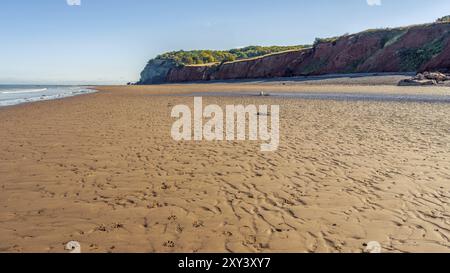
x=110 y=41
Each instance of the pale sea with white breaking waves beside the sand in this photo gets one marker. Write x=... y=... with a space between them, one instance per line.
x=18 y=94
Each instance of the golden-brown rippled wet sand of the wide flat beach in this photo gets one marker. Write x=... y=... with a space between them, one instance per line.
x=103 y=170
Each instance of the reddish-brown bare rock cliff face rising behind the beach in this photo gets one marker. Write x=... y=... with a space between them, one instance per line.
x=416 y=48
